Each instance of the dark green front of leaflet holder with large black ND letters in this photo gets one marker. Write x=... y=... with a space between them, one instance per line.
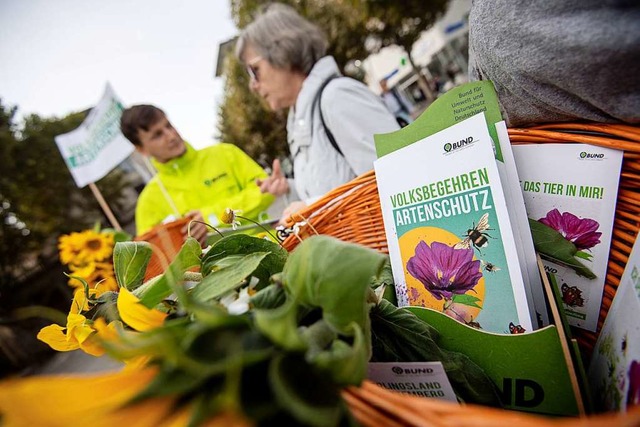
x=539 y=371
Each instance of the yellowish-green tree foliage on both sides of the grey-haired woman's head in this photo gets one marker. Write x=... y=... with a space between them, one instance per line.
x=245 y=121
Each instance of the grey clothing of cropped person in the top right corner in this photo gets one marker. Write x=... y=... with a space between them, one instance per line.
x=557 y=61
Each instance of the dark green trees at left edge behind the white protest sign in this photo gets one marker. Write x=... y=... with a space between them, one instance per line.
x=37 y=190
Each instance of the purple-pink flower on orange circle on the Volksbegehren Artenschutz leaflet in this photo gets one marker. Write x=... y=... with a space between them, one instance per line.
x=443 y=270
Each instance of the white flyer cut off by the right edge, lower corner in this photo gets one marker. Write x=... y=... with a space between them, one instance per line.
x=614 y=373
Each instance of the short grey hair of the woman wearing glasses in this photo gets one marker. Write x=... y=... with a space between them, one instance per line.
x=284 y=38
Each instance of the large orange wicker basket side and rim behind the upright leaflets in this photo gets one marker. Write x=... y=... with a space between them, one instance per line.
x=352 y=212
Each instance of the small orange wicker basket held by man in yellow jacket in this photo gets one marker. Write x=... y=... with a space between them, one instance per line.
x=166 y=241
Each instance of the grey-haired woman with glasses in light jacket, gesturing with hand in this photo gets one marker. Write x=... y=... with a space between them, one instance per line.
x=332 y=119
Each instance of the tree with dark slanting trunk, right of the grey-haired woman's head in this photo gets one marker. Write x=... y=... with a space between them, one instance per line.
x=402 y=23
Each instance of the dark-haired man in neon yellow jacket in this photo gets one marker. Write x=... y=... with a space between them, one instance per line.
x=200 y=184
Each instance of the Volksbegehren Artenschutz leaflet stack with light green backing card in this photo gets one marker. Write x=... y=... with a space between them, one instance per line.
x=454 y=215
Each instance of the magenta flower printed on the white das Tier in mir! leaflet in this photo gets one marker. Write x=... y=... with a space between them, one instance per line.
x=580 y=232
